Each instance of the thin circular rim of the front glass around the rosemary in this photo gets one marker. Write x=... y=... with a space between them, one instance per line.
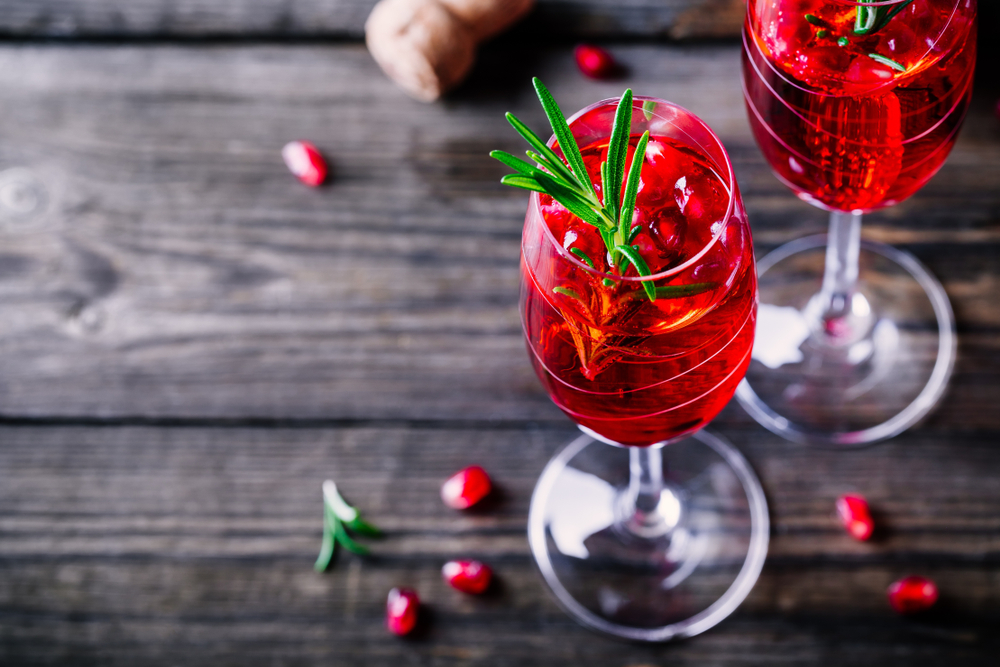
x=729 y=181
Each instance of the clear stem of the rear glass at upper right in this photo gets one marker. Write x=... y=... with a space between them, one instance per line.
x=840 y=275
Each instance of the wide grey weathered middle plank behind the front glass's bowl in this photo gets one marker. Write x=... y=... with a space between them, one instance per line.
x=175 y=269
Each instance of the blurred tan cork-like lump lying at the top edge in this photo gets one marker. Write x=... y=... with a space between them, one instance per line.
x=428 y=46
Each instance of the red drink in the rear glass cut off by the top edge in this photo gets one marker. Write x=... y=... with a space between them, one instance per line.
x=856 y=122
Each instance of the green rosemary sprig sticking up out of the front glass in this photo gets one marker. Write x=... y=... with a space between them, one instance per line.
x=569 y=183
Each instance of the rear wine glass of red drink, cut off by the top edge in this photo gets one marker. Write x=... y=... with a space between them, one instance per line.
x=855 y=105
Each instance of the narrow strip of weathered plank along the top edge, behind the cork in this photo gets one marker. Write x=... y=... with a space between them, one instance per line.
x=346 y=18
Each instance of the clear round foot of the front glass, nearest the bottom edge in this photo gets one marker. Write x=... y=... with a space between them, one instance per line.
x=671 y=583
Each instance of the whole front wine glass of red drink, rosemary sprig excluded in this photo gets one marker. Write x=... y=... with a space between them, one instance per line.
x=646 y=527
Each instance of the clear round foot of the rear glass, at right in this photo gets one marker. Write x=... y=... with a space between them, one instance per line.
x=861 y=378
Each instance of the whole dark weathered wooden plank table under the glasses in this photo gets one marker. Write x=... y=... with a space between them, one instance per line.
x=190 y=341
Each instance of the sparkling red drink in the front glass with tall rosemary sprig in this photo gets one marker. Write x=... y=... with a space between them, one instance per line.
x=633 y=370
